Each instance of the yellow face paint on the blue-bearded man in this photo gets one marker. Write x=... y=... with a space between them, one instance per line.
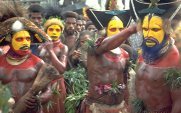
x=153 y=28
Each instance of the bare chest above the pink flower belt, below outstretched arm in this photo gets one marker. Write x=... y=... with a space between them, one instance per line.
x=106 y=70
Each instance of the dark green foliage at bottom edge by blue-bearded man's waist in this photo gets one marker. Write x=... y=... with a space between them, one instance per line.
x=138 y=106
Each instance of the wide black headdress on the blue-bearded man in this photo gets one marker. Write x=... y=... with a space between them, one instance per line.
x=164 y=8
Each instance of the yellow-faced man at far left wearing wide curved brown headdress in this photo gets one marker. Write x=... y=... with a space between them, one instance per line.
x=19 y=67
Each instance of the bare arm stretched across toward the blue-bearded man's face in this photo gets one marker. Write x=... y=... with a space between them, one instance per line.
x=112 y=42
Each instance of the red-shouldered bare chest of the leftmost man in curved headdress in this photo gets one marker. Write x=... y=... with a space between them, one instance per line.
x=19 y=77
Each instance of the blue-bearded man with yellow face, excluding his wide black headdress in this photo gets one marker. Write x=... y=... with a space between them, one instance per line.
x=157 y=71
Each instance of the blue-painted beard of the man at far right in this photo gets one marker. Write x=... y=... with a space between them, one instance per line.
x=150 y=54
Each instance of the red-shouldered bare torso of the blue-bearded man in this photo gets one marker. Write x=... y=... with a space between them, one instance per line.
x=150 y=84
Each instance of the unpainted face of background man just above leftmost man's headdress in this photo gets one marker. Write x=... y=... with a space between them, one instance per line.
x=36 y=18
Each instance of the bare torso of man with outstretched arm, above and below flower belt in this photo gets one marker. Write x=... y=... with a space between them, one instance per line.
x=105 y=69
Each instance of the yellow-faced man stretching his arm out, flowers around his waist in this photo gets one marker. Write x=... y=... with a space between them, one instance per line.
x=107 y=73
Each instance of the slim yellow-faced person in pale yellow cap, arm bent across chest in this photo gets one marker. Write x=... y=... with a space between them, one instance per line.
x=55 y=53
